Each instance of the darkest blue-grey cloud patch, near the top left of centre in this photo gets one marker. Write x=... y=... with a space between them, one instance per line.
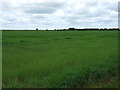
x=42 y=8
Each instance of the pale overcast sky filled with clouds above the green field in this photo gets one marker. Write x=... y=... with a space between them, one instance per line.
x=58 y=14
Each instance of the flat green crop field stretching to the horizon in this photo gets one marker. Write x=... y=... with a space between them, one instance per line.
x=60 y=59
